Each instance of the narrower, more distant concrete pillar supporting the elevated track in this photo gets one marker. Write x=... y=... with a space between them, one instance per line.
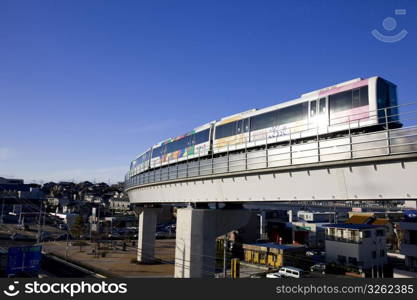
x=146 y=234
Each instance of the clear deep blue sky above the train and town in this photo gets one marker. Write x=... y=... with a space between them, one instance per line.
x=87 y=85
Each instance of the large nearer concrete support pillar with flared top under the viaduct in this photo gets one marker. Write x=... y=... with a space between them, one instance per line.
x=196 y=234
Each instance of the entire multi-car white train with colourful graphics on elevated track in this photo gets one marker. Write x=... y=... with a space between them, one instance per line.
x=358 y=104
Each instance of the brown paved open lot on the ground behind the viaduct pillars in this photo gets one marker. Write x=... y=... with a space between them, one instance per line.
x=119 y=262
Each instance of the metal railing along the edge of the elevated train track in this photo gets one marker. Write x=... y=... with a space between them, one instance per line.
x=312 y=145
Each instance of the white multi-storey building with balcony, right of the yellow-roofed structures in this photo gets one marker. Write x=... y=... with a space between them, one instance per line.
x=361 y=246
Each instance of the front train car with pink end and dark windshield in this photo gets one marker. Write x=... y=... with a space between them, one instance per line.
x=353 y=104
